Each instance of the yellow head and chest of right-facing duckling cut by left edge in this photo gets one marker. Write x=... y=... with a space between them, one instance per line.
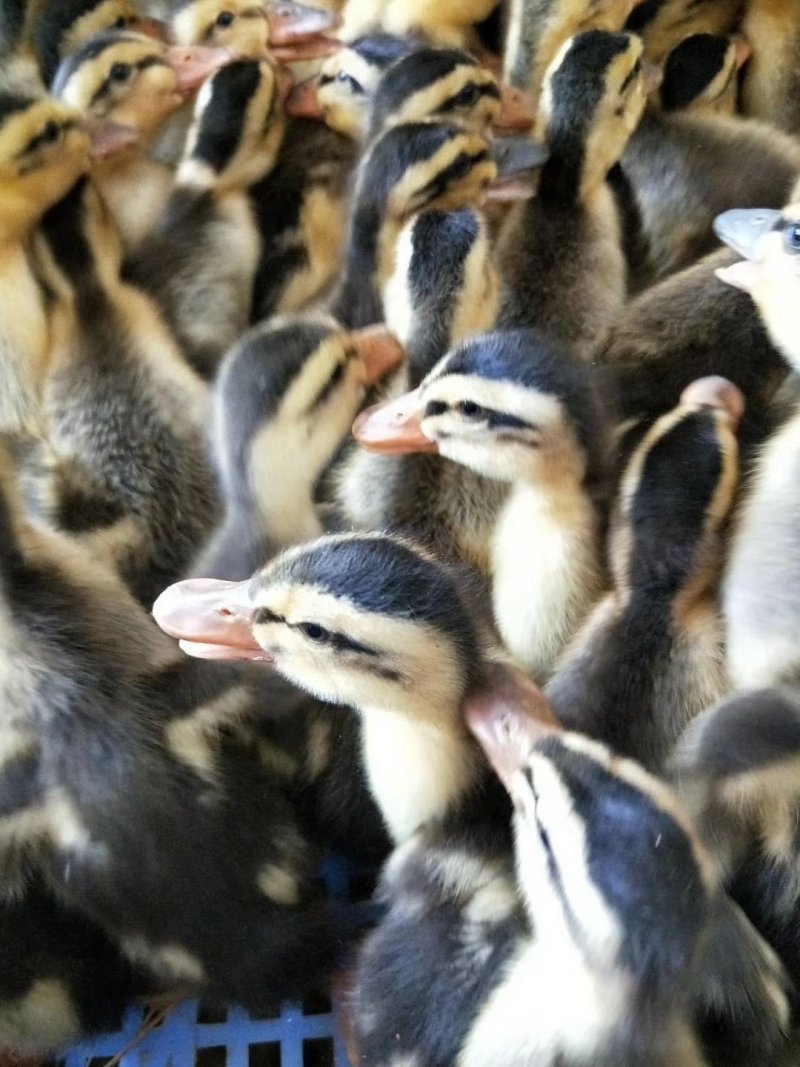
x=43 y=152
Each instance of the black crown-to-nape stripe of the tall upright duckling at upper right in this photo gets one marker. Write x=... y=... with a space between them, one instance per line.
x=578 y=88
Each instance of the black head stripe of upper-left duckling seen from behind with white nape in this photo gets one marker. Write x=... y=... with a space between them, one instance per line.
x=223 y=120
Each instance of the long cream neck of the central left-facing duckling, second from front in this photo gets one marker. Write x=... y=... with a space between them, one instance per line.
x=547 y=571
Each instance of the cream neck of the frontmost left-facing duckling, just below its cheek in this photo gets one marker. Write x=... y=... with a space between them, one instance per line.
x=419 y=772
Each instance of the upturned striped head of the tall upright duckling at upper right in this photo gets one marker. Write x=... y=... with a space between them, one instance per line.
x=594 y=97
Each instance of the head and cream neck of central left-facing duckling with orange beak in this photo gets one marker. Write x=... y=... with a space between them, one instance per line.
x=514 y=408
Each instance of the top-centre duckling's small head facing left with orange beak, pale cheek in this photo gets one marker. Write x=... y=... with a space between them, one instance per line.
x=341 y=95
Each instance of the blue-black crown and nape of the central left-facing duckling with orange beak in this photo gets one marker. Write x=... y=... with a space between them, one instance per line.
x=530 y=359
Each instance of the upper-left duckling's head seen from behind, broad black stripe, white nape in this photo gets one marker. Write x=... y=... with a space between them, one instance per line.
x=238 y=126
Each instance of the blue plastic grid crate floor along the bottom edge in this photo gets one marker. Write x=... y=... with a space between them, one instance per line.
x=293 y=1040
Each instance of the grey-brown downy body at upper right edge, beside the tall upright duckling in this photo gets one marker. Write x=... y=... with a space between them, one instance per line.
x=687 y=167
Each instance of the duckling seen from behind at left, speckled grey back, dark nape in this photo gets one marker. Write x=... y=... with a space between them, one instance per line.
x=121 y=405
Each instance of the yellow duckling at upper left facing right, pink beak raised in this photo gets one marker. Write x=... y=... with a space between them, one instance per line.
x=137 y=83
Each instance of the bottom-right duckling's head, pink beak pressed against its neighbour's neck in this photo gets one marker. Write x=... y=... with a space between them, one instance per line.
x=605 y=854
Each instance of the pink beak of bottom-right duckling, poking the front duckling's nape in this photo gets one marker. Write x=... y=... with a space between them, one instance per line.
x=508 y=716
